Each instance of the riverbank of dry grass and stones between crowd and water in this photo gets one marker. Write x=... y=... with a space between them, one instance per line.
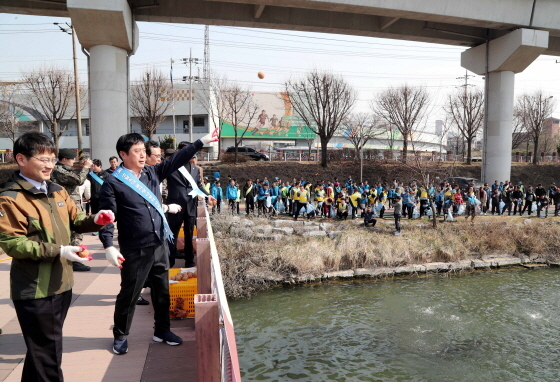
x=257 y=254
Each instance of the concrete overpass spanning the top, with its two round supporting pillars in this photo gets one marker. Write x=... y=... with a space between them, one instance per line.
x=518 y=32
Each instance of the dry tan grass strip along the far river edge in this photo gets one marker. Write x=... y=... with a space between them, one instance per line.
x=252 y=265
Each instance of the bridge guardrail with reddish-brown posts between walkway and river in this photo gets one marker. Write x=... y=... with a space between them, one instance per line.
x=216 y=347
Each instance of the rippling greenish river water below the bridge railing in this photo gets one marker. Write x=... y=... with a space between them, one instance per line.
x=491 y=326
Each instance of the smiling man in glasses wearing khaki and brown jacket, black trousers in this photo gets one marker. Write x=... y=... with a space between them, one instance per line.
x=36 y=217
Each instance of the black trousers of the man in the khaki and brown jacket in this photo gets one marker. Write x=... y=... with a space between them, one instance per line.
x=41 y=323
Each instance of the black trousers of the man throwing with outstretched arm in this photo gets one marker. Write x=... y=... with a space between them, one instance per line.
x=152 y=264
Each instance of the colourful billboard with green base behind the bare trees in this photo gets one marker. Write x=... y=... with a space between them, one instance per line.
x=274 y=120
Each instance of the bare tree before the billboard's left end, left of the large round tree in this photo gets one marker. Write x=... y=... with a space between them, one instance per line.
x=240 y=109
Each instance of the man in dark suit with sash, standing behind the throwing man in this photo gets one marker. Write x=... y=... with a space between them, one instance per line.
x=178 y=188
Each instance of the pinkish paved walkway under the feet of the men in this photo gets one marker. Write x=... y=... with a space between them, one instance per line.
x=88 y=337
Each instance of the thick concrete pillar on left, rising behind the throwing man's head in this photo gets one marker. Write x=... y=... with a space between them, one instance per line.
x=107 y=30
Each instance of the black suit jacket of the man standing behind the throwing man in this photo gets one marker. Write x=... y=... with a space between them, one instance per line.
x=178 y=189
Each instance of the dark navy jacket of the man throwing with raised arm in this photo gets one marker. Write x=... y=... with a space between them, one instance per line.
x=140 y=225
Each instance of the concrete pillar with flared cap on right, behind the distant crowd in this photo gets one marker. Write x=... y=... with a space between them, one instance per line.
x=499 y=60
